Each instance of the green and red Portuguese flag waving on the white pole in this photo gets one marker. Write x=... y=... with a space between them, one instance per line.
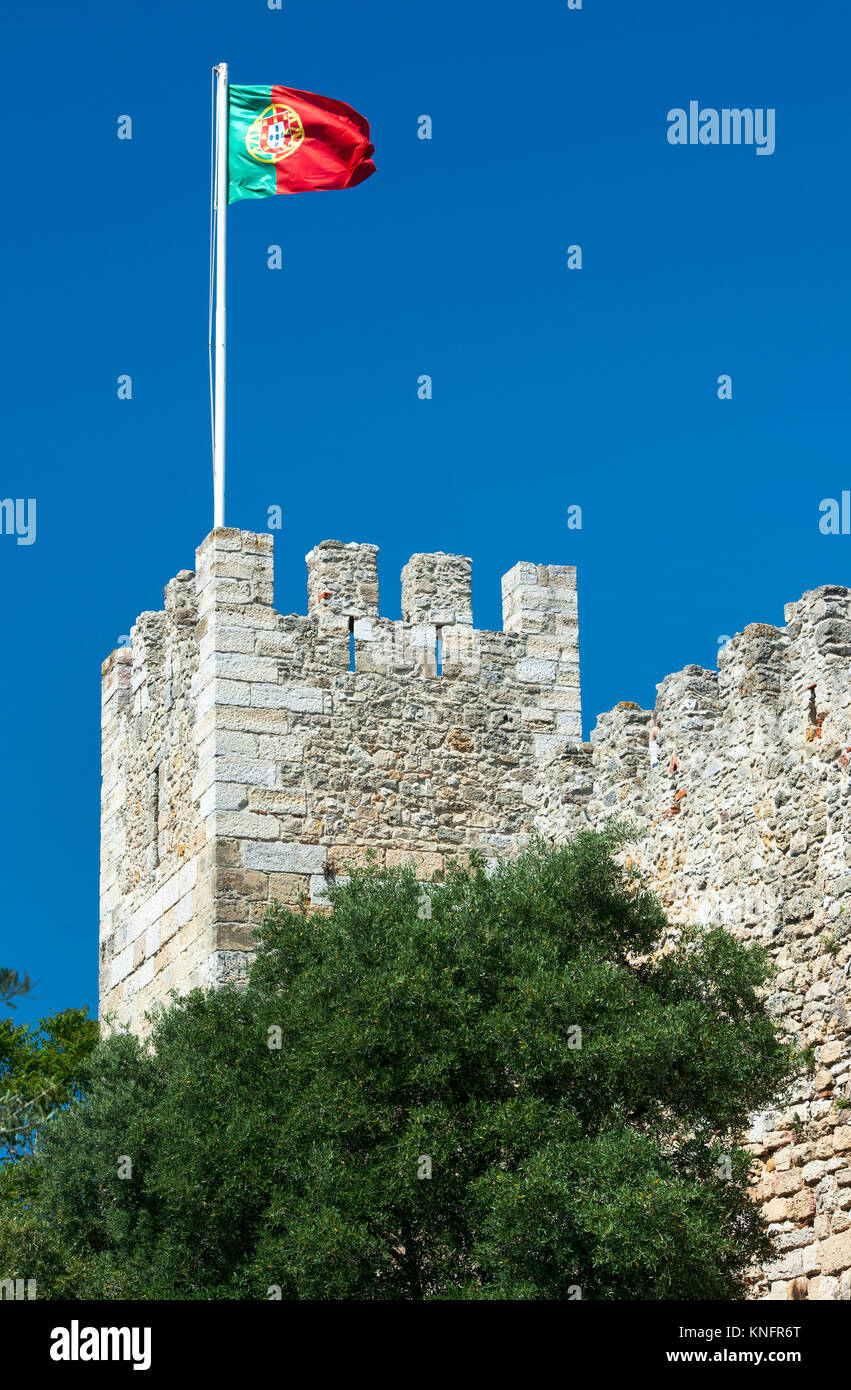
x=283 y=141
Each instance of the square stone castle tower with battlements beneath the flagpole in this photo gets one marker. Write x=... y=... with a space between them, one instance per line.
x=248 y=757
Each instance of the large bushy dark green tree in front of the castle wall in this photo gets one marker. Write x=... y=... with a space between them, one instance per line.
x=576 y=1095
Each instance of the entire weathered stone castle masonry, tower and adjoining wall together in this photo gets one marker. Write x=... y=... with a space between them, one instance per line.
x=250 y=755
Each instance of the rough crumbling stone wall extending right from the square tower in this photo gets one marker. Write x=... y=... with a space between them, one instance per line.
x=750 y=826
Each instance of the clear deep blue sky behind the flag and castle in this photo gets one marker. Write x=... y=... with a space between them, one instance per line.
x=551 y=389
